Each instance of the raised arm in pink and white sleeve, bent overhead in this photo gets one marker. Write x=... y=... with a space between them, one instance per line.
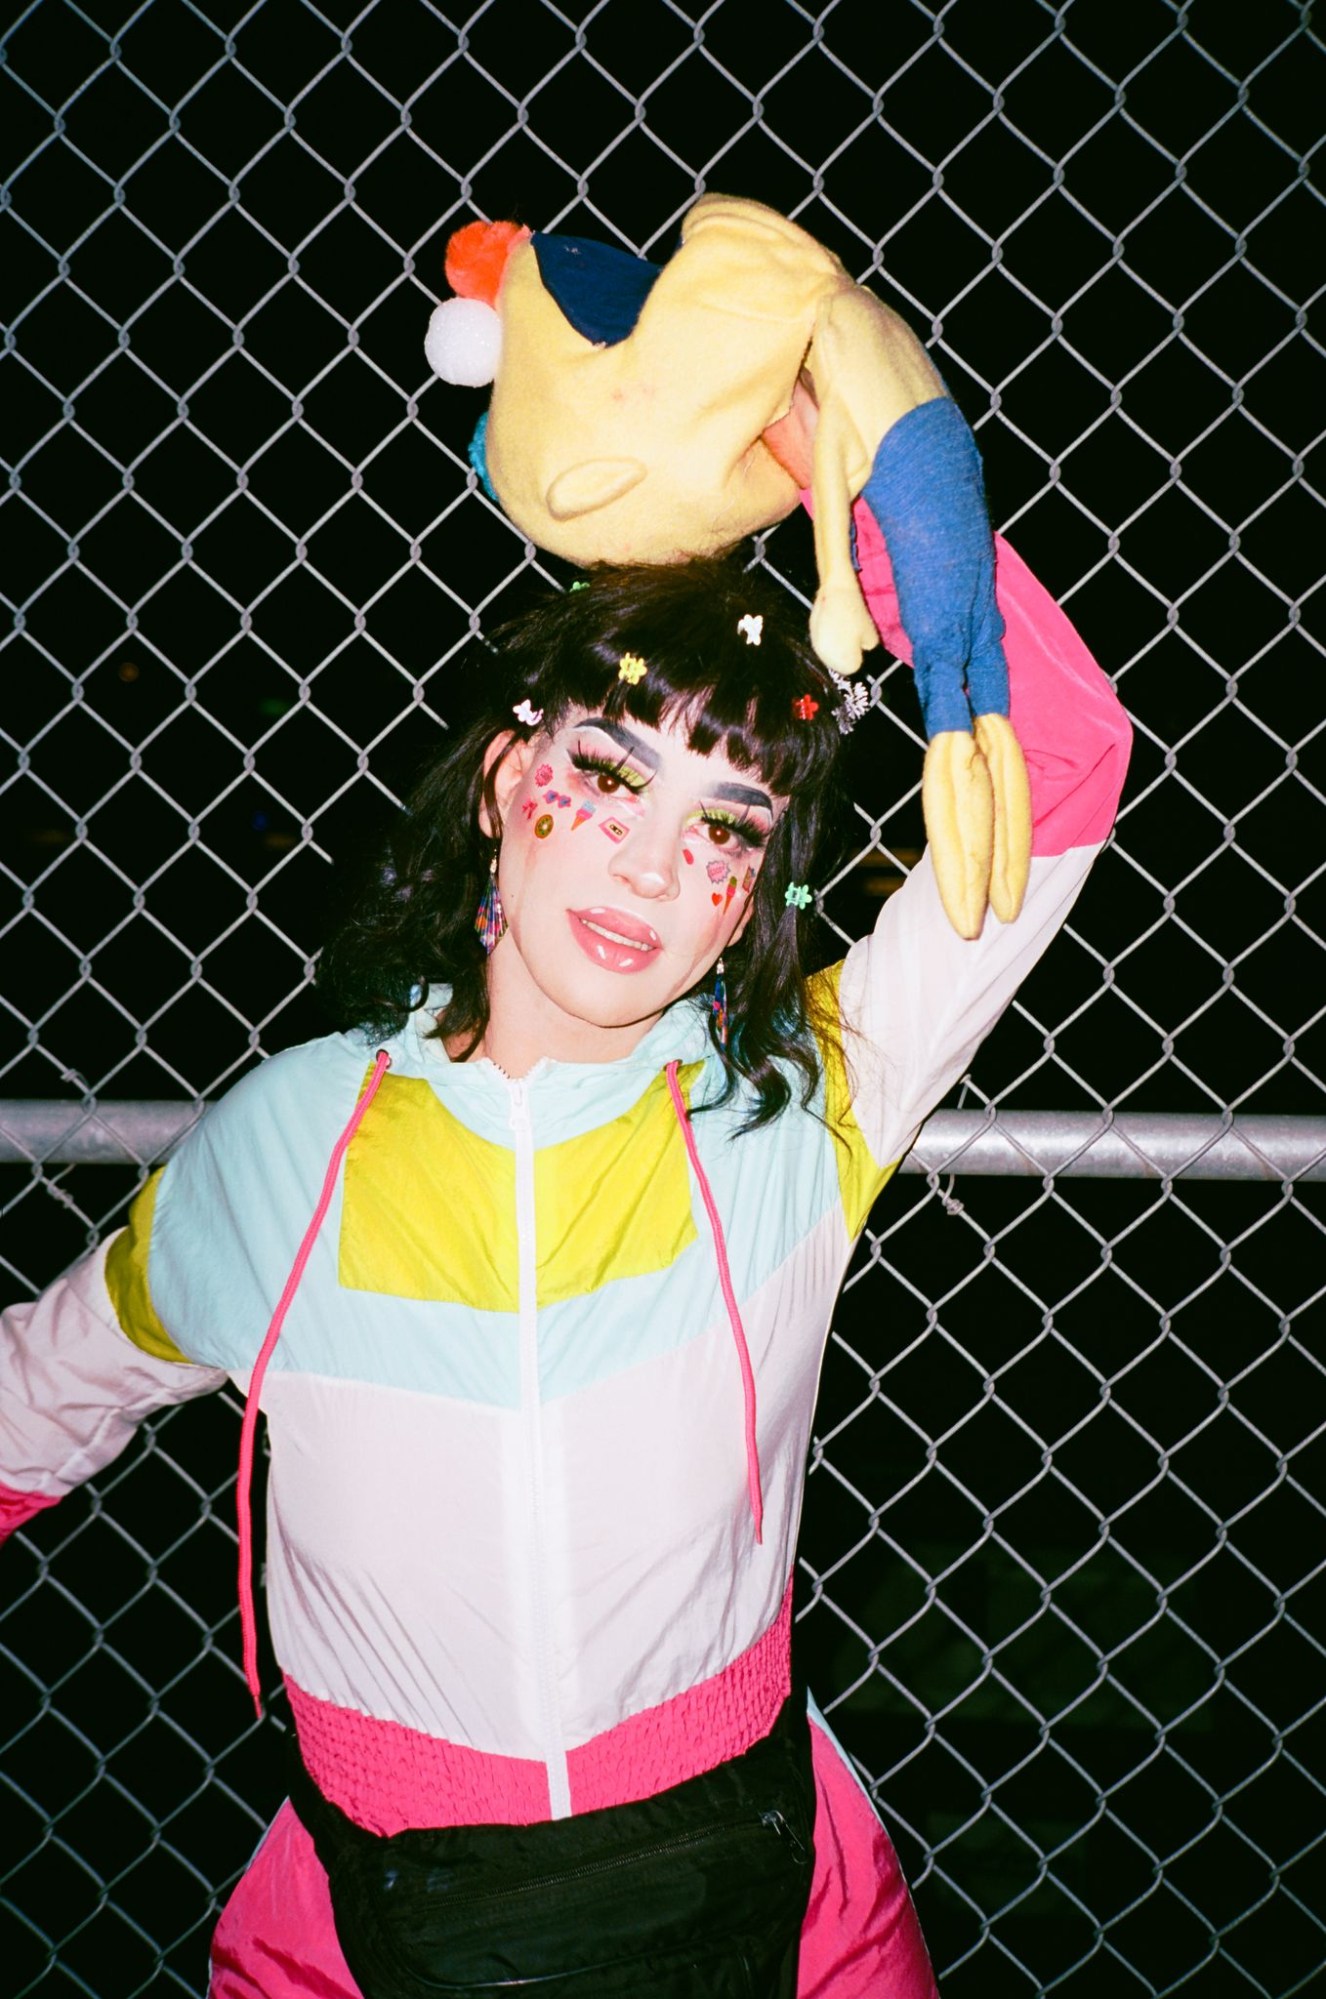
x=915 y=997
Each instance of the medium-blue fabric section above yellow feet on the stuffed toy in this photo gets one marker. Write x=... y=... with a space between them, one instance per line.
x=929 y=499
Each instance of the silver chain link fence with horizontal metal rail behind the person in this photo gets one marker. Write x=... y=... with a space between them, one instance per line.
x=1063 y=1550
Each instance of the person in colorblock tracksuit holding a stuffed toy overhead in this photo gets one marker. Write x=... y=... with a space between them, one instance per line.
x=531 y=1270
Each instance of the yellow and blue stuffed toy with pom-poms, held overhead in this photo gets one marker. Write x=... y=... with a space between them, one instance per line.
x=653 y=413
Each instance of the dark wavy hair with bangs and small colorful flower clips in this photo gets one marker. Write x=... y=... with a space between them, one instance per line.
x=415 y=923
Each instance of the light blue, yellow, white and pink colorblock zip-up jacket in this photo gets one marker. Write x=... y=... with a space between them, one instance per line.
x=513 y=1566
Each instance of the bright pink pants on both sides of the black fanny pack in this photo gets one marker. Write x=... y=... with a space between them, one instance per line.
x=861 y=1938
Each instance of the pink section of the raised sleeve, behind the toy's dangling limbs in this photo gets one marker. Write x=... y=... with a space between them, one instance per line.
x=1069 y=721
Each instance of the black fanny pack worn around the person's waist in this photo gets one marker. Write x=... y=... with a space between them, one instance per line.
x=693 y=1894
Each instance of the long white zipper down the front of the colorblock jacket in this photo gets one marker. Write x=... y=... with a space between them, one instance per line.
x=533 y=1440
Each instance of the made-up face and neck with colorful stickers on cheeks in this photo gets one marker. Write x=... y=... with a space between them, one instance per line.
x=627 y=869
